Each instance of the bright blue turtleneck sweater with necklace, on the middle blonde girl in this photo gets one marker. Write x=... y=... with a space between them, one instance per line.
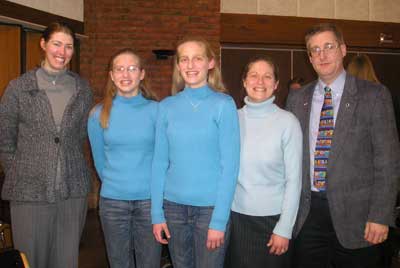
x=196 y=158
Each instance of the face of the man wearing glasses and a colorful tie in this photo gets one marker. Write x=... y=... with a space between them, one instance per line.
x=329 y=63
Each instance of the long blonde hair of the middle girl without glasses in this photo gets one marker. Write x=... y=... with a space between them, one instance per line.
x=214 y=75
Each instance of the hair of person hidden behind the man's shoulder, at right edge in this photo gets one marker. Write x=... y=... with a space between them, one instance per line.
x=361 y=66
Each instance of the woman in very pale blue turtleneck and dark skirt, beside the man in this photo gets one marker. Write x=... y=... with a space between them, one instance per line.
x=268 y=191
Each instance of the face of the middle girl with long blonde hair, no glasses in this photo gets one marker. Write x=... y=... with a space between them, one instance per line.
x=193 y=64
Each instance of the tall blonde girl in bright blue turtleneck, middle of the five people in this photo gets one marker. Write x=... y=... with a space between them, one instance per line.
x=196 y=160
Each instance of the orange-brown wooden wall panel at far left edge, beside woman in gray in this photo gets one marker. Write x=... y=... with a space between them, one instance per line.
x=10 y=55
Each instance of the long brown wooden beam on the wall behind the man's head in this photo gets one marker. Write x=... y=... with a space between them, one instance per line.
x=285 y=30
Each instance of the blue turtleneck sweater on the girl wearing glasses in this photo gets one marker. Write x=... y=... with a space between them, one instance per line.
x=123 y=152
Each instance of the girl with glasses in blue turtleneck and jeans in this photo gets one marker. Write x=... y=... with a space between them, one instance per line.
x=121 y=132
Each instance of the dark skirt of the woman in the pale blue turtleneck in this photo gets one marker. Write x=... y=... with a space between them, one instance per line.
x=248 y=243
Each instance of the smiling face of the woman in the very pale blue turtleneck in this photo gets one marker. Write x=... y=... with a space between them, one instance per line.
x=260 y=82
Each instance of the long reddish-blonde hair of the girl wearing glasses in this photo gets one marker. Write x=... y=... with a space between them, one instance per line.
x=111 y=90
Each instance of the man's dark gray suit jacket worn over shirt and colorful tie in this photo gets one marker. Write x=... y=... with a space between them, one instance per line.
x=363 y=166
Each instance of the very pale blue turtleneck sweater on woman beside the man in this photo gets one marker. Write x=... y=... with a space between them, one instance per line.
x=270 y=164
